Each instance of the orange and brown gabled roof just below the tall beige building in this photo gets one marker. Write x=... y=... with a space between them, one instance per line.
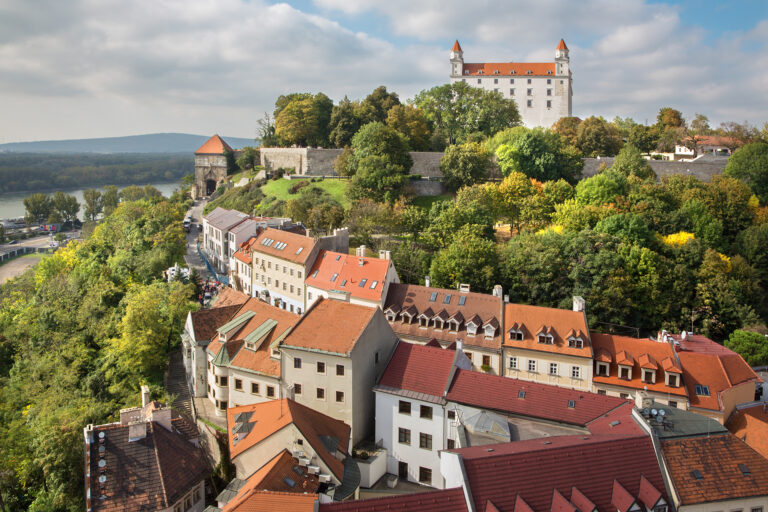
x=275 y=415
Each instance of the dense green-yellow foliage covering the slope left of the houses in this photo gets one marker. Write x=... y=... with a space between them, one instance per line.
x=79 y=334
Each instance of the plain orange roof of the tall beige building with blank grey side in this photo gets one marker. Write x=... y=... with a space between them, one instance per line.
x=331 y=326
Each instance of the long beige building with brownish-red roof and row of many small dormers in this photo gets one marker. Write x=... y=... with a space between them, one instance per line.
x=419 y=314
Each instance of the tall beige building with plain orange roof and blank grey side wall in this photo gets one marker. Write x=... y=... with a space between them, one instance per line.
x=332 y=359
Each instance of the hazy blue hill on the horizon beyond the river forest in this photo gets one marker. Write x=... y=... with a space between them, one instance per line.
x=149 y=143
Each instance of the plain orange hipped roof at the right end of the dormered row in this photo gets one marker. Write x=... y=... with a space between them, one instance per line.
x=720 y=372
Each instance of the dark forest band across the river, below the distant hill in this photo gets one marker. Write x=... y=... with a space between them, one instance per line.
x=38 y=171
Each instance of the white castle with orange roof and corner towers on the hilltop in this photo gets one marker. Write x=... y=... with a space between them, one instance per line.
x=543 y=90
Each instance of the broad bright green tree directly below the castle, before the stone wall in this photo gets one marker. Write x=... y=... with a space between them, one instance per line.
x=538 y=154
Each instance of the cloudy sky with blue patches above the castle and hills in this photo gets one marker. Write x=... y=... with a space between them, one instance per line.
x=102 y=68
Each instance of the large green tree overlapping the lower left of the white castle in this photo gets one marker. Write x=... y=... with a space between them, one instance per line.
x=457 y=110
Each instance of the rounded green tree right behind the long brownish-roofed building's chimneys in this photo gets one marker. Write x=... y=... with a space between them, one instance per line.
x=469 y=259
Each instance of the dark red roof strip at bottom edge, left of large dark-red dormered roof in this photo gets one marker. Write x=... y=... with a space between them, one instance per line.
x=446 y=500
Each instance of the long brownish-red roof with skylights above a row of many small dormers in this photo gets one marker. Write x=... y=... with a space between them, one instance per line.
x=415 y=299
